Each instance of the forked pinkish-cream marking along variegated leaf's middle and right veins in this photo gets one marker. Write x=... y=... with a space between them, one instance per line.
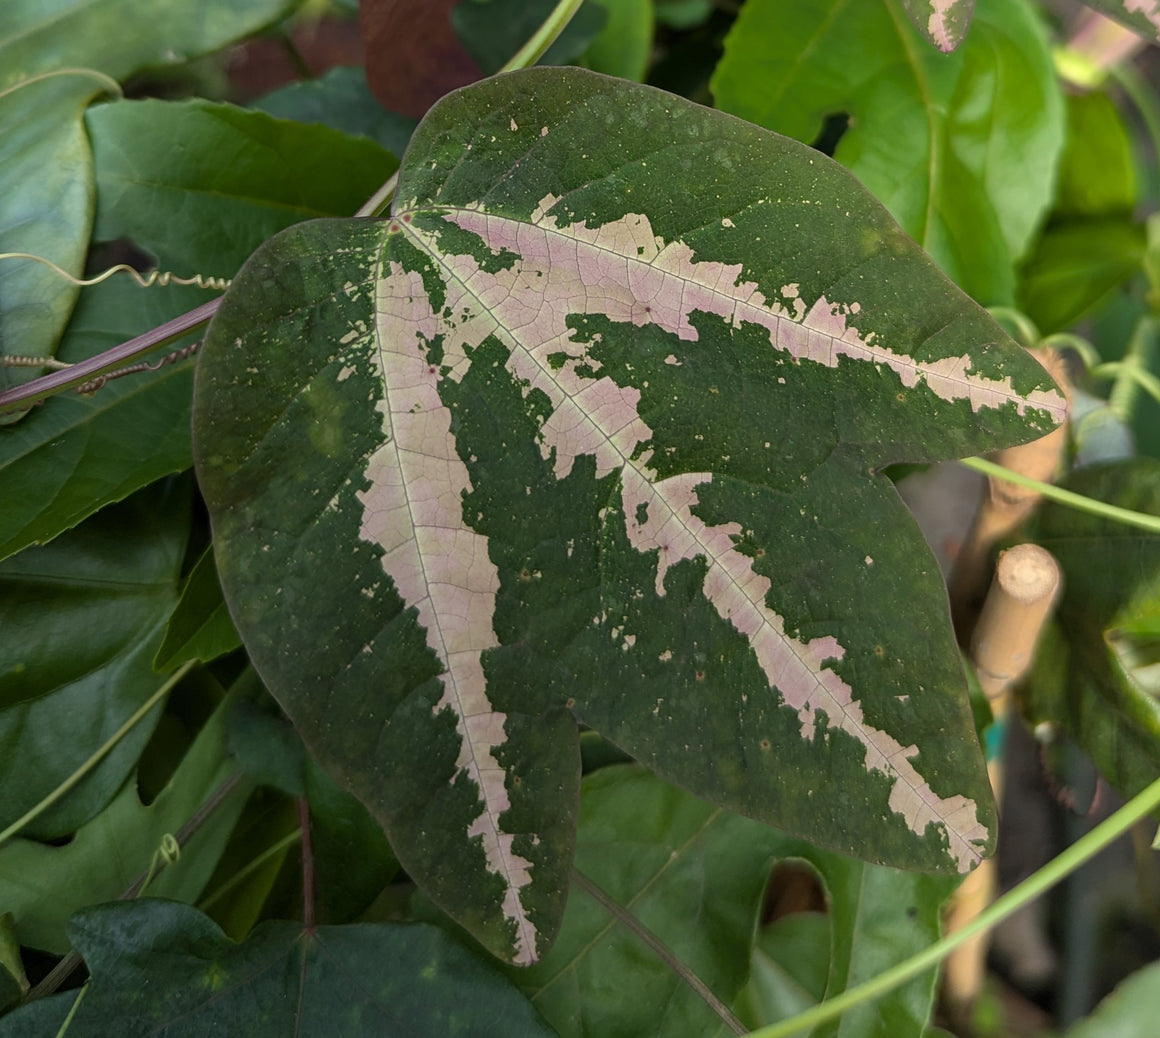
x=622 y=271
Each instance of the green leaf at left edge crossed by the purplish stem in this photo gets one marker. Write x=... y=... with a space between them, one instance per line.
x=76 y=454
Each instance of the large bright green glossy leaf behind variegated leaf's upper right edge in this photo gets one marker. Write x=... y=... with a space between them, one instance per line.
x=961 y=149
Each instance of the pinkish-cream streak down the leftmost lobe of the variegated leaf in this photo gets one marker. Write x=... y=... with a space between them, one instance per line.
x=414 y=511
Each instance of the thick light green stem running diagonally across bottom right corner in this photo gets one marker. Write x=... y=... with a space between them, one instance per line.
x=1039 y=883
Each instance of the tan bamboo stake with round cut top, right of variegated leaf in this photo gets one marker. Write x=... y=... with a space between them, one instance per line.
x=1023 y=596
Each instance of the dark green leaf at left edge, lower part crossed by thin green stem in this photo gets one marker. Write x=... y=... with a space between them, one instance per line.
x=81 y=621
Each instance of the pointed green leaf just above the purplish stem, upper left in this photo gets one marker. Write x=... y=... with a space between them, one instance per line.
x=163 y=180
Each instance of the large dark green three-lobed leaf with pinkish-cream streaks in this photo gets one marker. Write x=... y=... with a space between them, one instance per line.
x=592 y=430
